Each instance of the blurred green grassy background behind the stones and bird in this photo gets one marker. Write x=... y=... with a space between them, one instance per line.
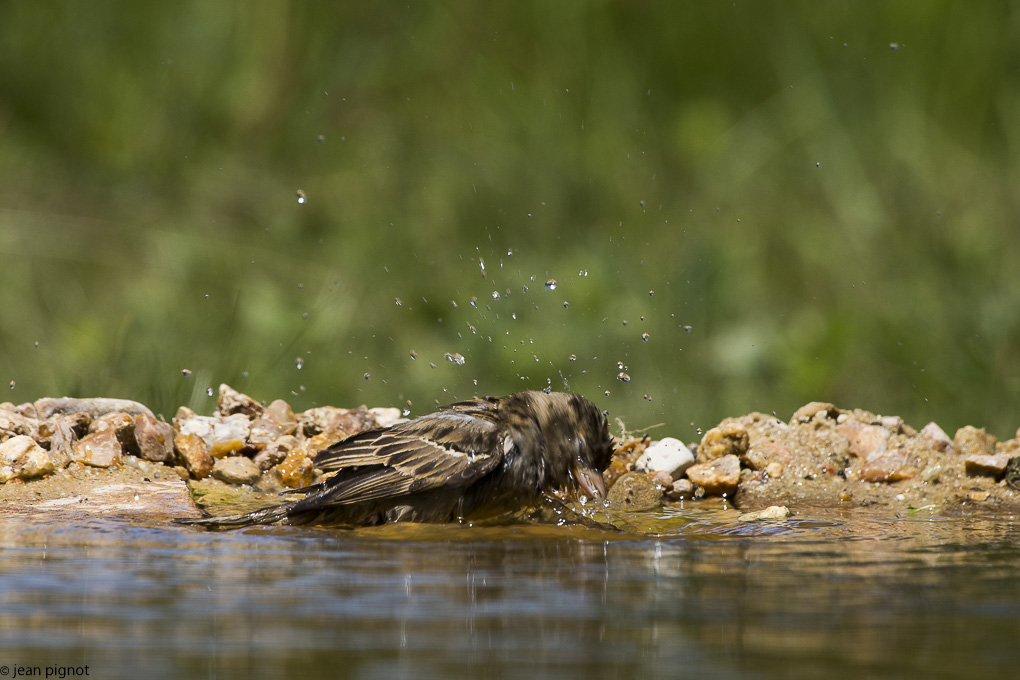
x=795 y=202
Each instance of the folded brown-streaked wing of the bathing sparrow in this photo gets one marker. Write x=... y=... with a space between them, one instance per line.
x=449 y=449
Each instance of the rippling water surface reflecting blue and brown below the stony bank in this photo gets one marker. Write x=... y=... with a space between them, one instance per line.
x=821 y=596
